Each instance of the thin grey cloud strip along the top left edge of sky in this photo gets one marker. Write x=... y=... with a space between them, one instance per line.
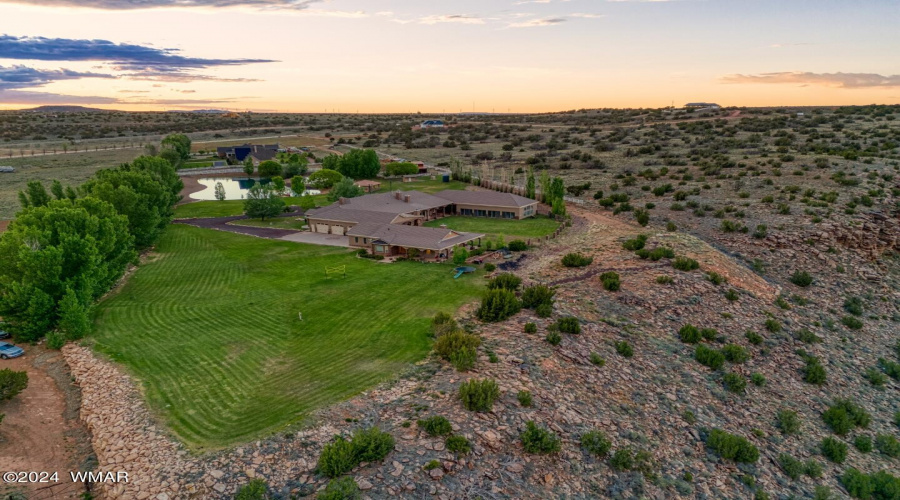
x=155 y=4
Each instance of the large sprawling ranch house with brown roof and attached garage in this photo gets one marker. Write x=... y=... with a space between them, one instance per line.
x=390 y=224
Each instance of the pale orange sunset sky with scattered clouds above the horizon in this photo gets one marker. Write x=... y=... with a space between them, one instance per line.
x=448 y=55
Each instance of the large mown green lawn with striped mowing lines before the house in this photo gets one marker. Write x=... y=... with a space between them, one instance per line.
x=210 y=326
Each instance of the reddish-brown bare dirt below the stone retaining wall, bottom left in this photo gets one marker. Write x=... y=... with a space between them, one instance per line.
x=41 y=430
